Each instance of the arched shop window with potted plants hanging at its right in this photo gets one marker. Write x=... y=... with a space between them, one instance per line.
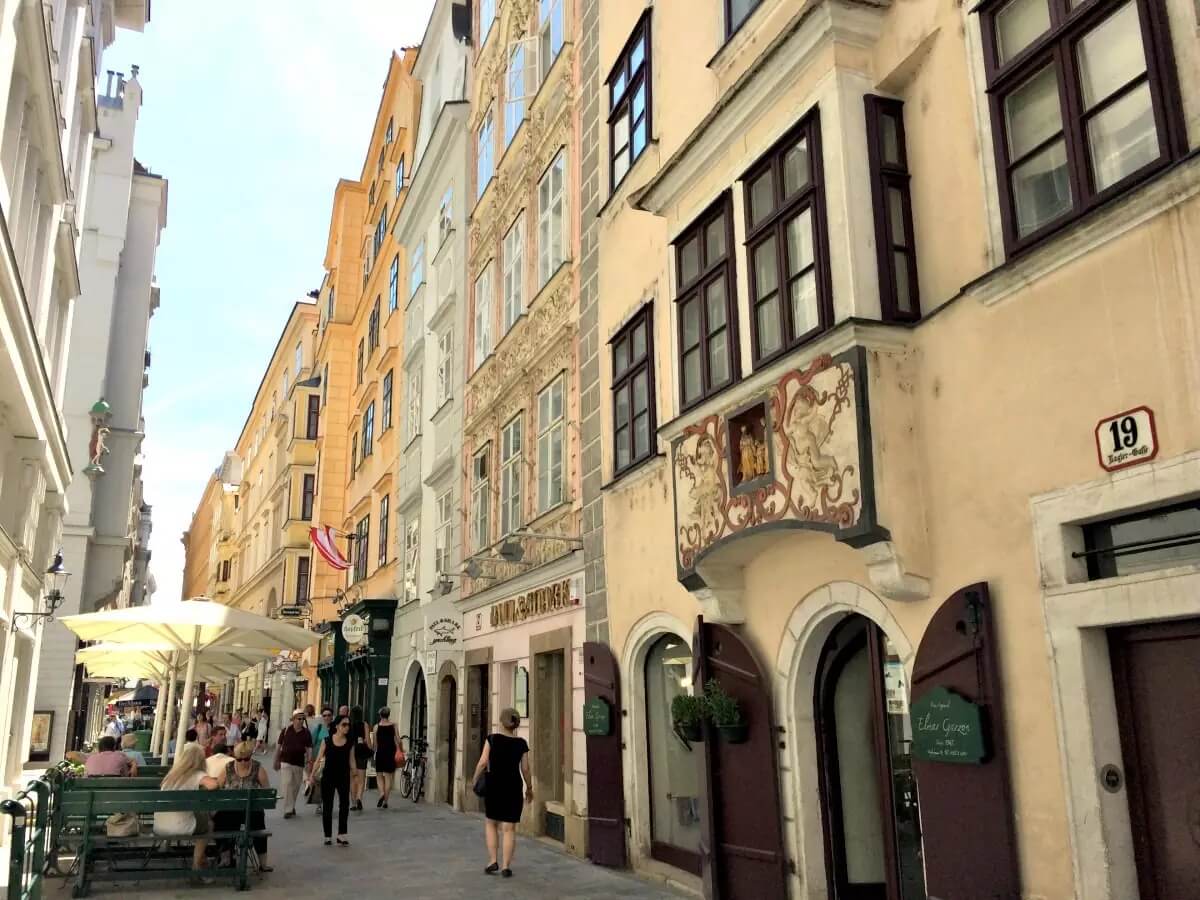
x=675 y=789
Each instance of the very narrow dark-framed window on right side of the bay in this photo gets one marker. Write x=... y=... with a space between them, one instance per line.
x=895 y=243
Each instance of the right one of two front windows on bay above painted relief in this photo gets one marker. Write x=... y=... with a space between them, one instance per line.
x=785 y=241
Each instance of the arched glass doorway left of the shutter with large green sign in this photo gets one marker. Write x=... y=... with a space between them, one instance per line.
x=868 y=791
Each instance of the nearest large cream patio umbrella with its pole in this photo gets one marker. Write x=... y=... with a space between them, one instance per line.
x=193 y=628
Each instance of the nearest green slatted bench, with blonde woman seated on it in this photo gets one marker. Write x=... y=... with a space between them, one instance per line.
x=88 y=808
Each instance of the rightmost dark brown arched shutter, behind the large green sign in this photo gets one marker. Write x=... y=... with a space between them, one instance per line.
x=970 y=848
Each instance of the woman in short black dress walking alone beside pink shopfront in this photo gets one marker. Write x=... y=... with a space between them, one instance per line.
x=507 y=760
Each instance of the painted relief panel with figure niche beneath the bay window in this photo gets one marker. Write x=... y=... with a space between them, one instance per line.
x=797 y=455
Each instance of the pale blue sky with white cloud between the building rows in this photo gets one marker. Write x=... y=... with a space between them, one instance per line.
x=253 y=115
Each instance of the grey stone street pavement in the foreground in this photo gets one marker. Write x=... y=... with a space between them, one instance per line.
x=419 y=853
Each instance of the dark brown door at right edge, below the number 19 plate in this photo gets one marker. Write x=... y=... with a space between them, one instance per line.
x=1159 y=694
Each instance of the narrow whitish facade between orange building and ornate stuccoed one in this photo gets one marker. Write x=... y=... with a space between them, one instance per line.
x=433 y=225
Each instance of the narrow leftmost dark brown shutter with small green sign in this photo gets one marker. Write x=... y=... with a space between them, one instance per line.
x=607 y=797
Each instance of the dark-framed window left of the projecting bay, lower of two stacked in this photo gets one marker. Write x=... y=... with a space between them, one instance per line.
x=633 y=392
